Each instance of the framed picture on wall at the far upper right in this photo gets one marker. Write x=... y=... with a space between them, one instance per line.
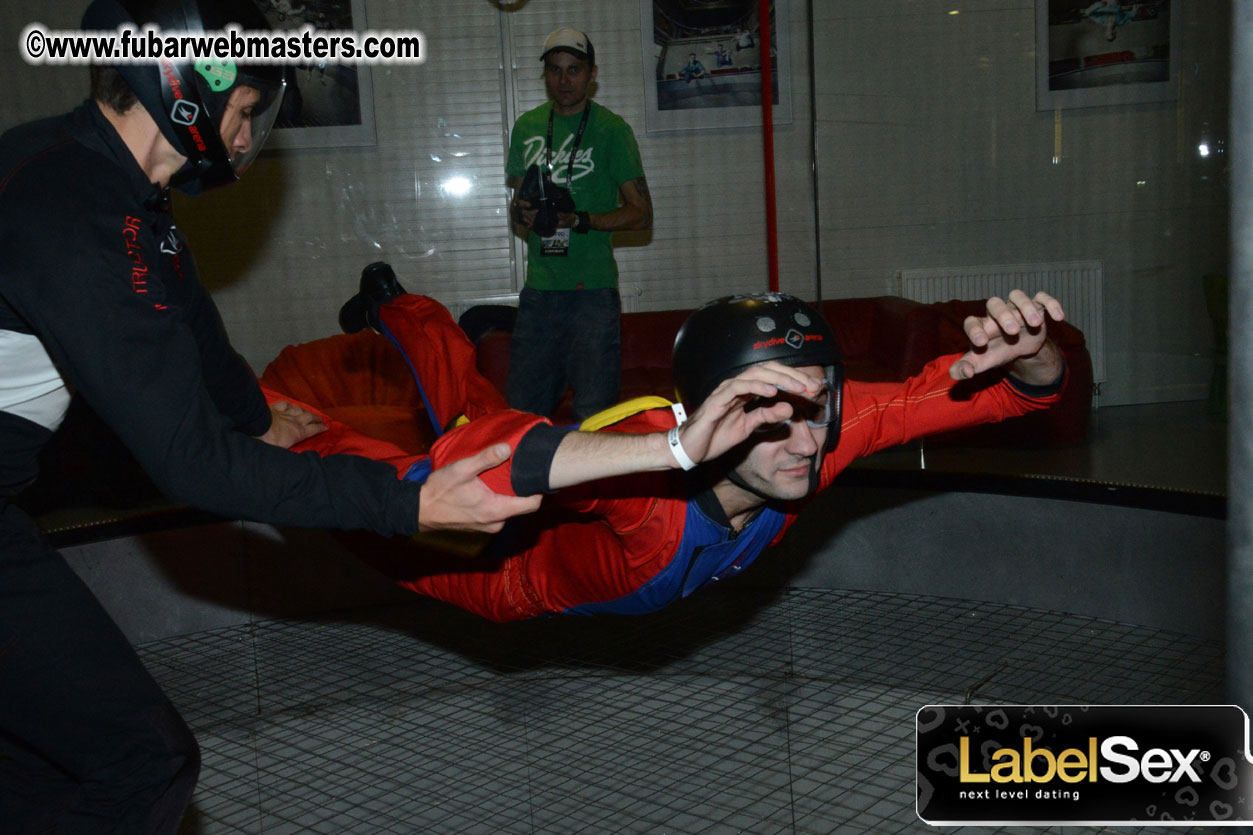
x=1106 y=52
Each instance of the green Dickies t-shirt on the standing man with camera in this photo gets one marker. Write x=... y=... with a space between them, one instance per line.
x=607 y=159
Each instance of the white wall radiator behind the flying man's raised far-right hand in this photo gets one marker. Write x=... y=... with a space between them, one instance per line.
x=1076 y=284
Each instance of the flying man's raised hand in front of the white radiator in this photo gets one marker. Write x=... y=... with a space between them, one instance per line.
x=1013 y=334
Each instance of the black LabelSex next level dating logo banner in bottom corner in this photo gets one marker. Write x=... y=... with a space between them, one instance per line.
x=1062 y=765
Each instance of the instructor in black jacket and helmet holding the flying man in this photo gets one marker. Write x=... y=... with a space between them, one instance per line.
x=100 y=298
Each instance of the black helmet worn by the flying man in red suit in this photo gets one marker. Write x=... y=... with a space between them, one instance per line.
x=735 y=333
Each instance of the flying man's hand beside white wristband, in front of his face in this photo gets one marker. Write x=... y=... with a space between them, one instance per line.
x=722 y=421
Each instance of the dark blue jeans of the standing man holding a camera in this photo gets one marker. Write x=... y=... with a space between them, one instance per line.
x=566 y=338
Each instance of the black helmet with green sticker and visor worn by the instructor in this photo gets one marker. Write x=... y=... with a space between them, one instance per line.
x=189 y=100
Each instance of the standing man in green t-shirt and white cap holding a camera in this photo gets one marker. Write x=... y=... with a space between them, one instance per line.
x=567 y=332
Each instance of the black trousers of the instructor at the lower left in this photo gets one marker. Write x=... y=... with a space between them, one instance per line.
x=88 y=743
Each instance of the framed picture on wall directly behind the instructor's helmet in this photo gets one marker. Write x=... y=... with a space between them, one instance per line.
x=330 y=105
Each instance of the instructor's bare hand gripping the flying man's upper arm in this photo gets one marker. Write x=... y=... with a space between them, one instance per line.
x=454 y=498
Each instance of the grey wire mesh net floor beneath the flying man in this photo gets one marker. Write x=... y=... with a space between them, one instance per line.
x=737 y=712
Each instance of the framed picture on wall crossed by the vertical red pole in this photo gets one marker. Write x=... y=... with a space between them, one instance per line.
x=704 y=65
